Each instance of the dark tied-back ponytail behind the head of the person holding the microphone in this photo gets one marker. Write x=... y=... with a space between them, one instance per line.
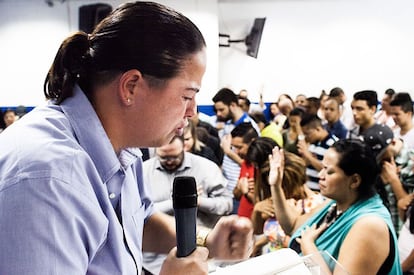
x=67 y=68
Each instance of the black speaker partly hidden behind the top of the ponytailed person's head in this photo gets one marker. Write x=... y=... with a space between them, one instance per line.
x=91 y=15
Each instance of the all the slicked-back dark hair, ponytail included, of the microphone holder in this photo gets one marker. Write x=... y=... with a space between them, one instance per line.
x=146 y=36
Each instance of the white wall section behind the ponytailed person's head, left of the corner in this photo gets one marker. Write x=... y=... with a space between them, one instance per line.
x=31 y=32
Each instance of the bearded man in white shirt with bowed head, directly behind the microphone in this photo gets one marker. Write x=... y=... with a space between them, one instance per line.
x=171 y=161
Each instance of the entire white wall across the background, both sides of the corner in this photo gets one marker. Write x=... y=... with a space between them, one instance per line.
x=307 y=45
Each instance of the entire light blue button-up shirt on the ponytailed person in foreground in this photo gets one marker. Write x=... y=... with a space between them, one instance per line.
x=63 y=193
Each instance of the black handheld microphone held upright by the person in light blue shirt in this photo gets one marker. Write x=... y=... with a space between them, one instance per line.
x=185 y=211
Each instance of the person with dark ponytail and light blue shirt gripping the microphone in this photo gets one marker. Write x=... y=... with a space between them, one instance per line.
x=72 y=196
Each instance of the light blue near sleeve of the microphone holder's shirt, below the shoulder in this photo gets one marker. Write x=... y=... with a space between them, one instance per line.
x=48 y=227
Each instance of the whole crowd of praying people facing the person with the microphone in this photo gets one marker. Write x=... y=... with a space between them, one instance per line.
x=310 y=172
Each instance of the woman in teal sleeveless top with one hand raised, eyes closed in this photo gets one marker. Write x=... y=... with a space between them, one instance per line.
x=353 y=225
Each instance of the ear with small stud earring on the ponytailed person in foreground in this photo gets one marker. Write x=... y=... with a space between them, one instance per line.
x=128 y=85
